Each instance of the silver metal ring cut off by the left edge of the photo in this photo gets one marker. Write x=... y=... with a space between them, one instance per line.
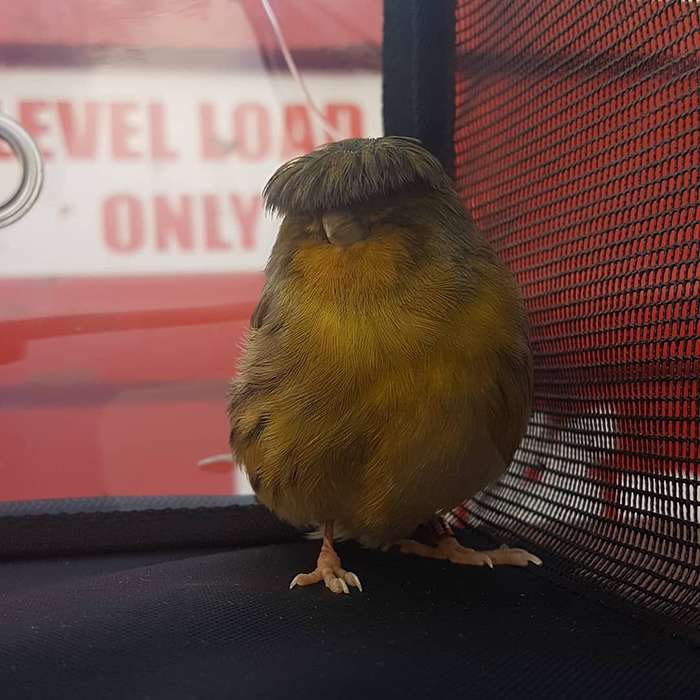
x=32 y=171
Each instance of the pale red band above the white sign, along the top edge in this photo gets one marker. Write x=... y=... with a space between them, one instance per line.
x=311 y=24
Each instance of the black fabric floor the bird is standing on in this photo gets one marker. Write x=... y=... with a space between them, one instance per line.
x=222 y=623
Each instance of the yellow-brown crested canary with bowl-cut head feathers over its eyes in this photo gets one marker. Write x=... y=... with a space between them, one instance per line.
x=387 y=374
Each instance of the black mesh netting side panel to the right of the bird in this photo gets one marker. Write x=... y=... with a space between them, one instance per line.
x=577 y=146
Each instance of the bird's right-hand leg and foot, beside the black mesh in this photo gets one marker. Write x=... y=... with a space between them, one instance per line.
x=444 y=545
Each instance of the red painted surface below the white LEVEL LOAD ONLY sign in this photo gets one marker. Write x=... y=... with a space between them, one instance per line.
x=117 y=386
